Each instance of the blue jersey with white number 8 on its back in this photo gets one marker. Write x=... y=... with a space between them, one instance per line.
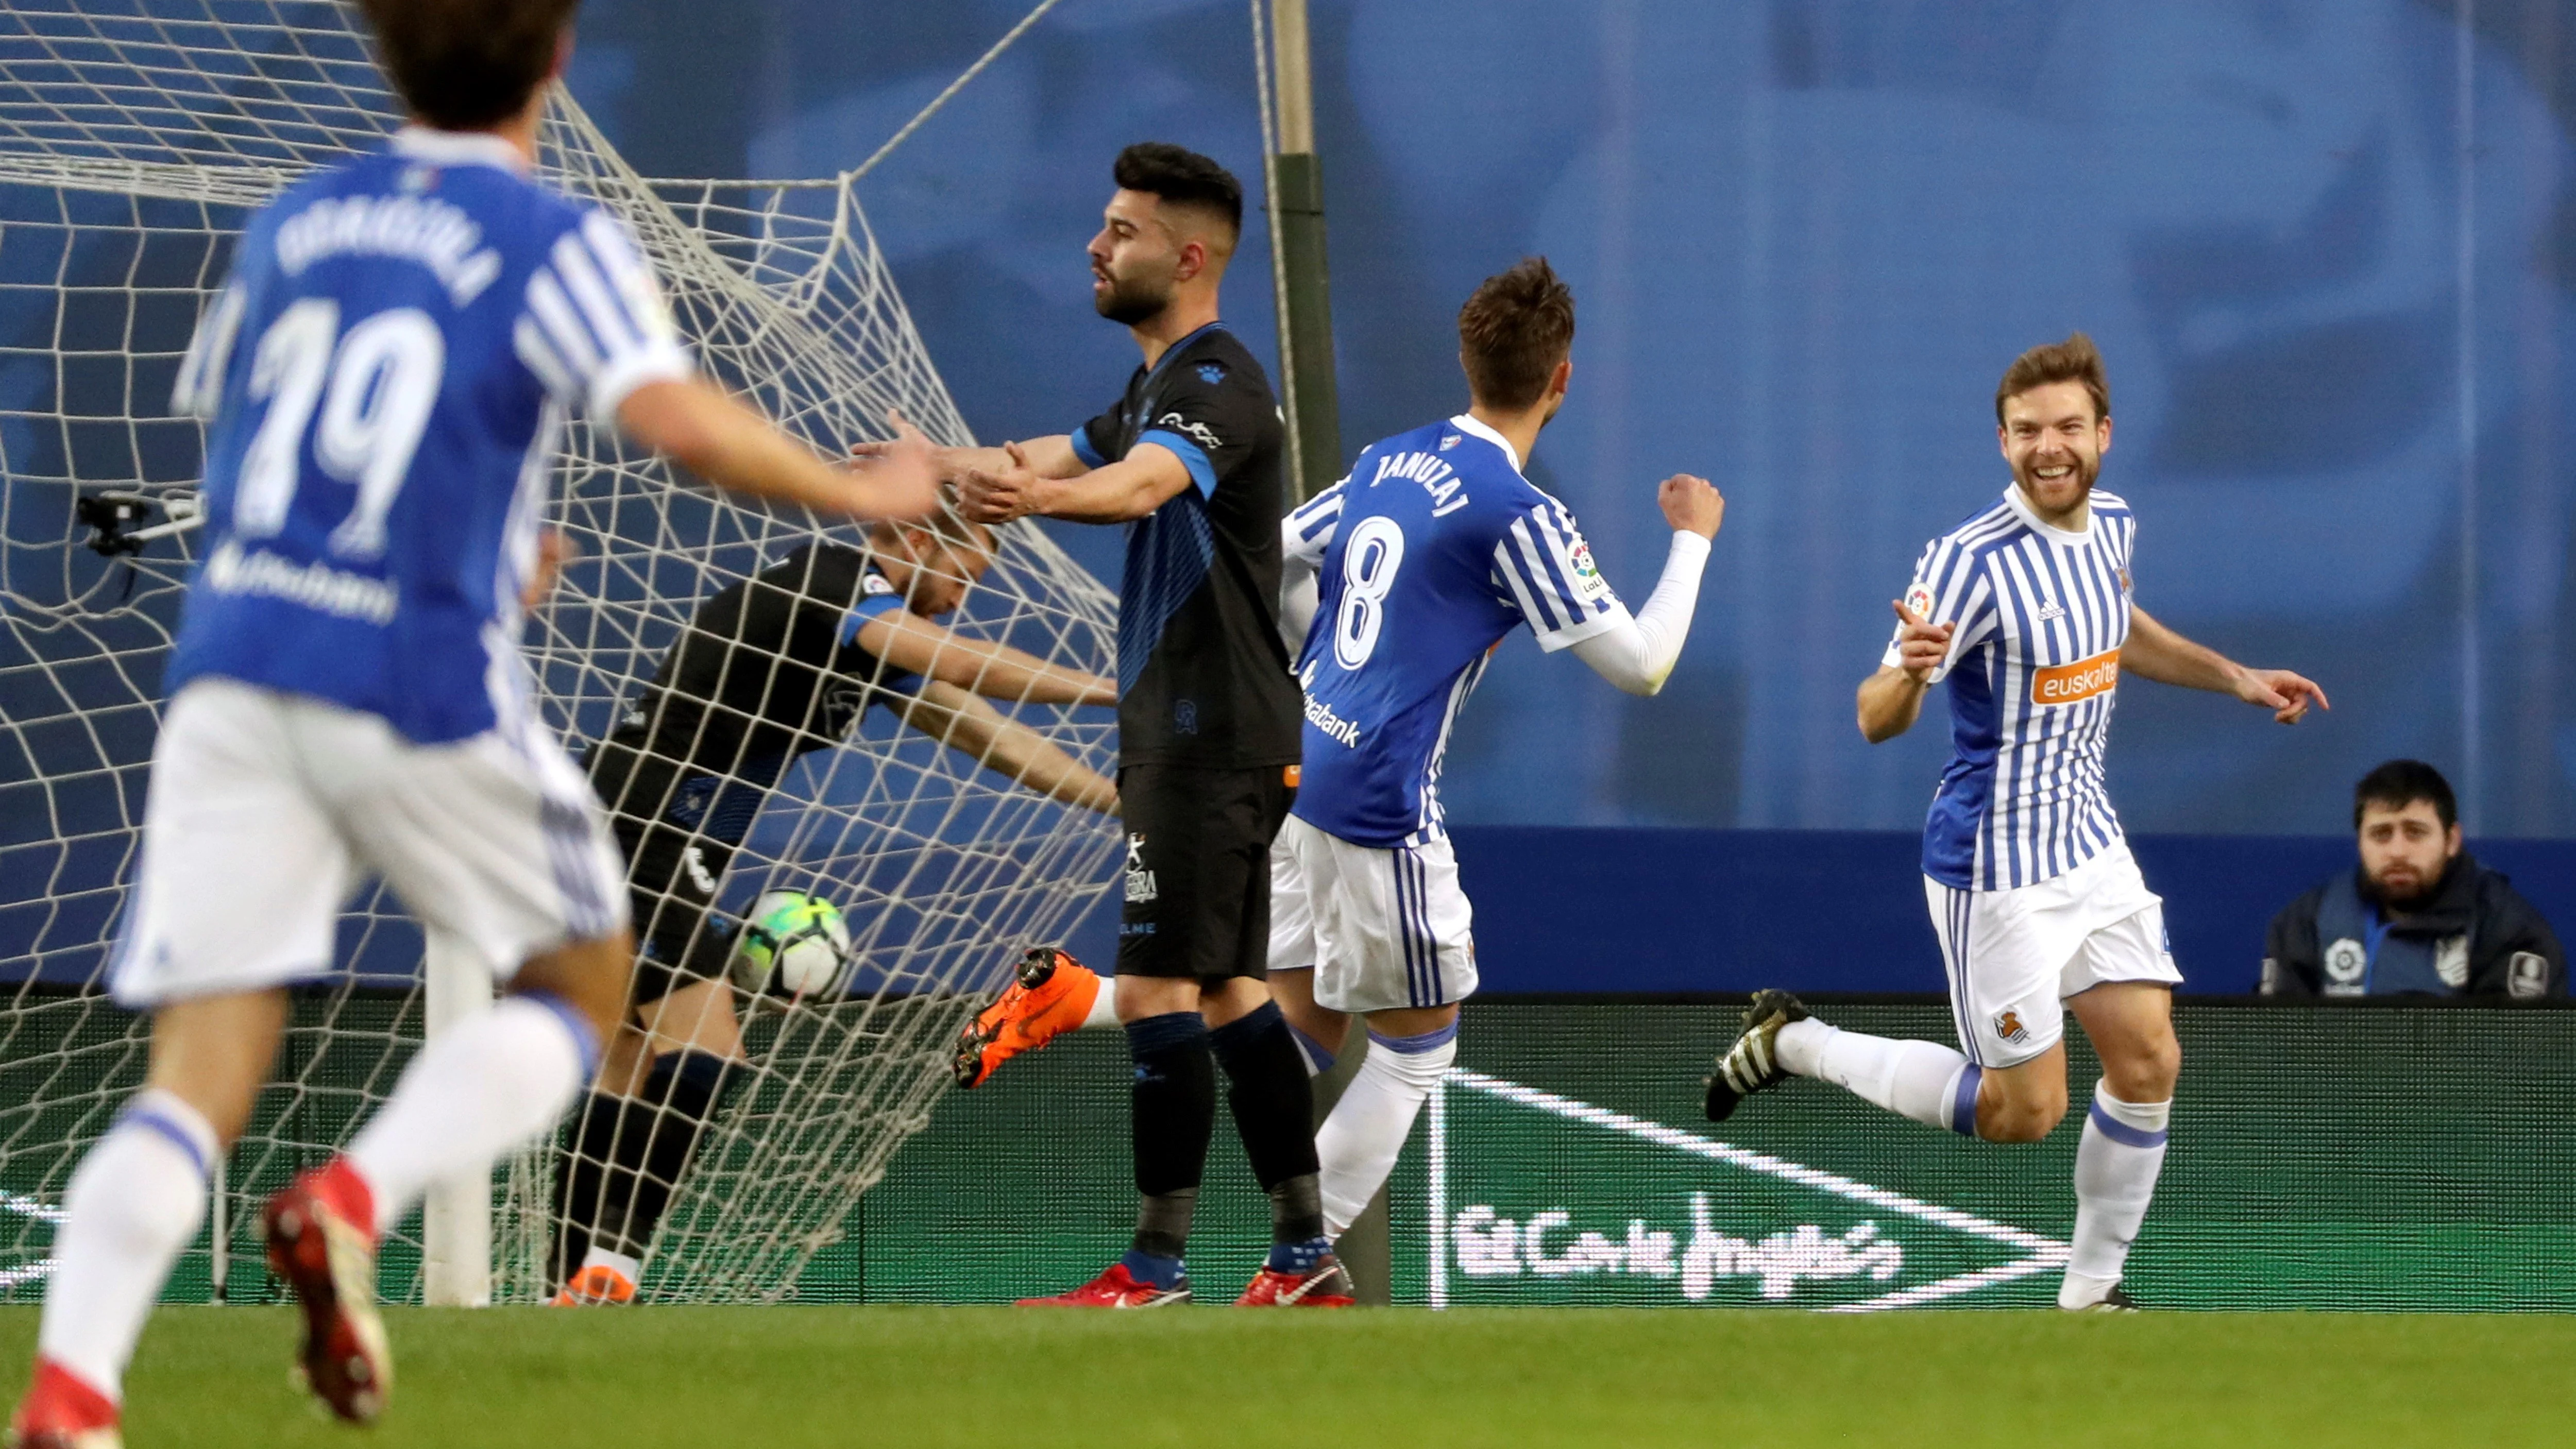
x=1431 y=552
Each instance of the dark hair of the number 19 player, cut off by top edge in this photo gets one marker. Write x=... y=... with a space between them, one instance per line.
x=465 y=66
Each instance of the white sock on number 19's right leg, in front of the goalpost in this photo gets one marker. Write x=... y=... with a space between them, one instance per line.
x=475 y=1093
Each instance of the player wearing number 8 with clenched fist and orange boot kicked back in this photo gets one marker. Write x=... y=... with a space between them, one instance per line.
x=1413 y=570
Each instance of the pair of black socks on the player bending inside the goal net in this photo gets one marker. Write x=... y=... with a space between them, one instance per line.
x=630 y=1154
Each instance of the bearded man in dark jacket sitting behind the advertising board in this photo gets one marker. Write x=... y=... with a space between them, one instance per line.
x=2420 y=918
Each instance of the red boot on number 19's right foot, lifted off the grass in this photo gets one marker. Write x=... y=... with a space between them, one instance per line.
x=323 y=1242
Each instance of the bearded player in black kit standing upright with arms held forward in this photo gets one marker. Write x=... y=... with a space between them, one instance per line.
x=1191 y=459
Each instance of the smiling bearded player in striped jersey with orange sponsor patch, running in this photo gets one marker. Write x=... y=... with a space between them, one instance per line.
x=2026 y=611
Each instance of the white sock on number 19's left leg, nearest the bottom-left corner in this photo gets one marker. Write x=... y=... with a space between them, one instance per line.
x=130 y=1211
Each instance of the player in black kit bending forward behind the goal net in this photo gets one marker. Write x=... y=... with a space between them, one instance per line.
x=769 y=670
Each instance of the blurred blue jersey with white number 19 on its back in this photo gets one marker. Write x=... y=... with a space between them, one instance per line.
x=385 y=380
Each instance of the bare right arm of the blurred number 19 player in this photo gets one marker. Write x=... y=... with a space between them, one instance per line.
x=741 y=452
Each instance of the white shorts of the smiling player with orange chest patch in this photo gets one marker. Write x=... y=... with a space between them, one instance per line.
x=2018 y=954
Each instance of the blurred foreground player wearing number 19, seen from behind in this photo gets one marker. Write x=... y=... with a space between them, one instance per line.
x=385 y=380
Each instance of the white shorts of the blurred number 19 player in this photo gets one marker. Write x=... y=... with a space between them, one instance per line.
x=269 y=809
